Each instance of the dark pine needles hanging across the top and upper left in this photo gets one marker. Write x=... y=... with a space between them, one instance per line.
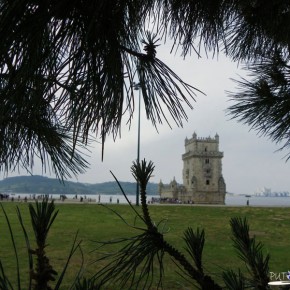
x=73 y=73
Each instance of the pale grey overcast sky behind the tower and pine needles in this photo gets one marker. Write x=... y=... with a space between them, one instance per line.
x=250 y=162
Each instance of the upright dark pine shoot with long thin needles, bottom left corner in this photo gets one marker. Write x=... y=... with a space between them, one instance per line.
x=40 y=276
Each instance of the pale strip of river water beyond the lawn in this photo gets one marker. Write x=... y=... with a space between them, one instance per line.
x=107 y=199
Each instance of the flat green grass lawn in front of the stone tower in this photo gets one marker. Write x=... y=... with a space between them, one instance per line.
x=95 y=223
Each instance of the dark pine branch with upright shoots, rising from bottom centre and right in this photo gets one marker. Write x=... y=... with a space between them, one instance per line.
x=133 y=264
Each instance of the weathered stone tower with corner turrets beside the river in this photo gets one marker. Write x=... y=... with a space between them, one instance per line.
x=203 y=182
